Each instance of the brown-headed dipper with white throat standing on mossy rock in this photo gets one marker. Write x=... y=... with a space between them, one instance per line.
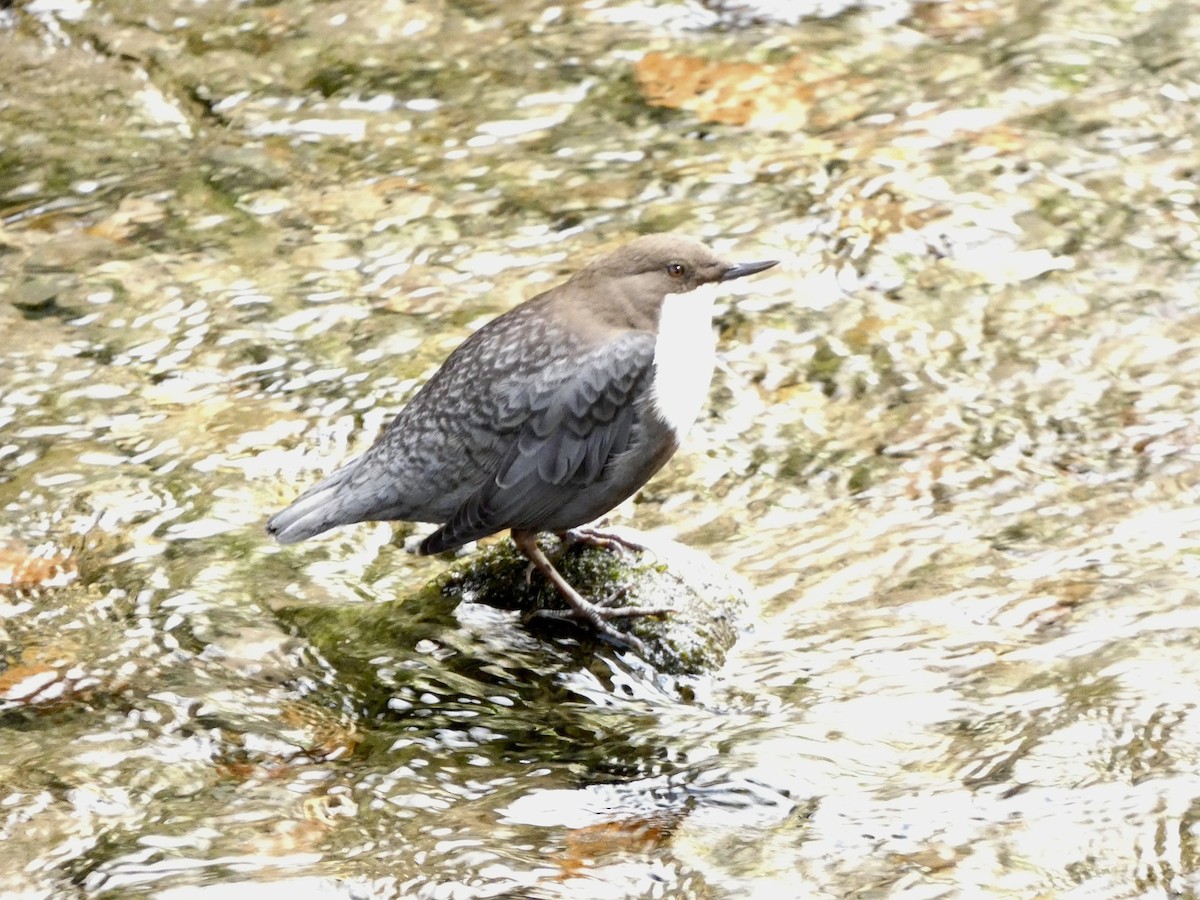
x=548 y=417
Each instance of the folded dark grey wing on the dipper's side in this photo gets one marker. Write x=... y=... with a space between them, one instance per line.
x=571 y=422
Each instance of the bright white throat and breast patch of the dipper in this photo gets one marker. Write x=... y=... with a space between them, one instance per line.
x=683 y=357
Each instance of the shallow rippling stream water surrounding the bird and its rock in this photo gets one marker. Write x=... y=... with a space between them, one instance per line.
x=952 y=446
